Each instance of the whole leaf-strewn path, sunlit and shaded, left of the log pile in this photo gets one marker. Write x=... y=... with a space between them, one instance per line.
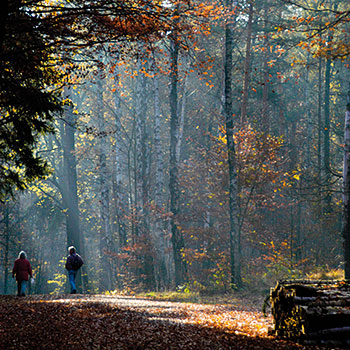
x=93 y=322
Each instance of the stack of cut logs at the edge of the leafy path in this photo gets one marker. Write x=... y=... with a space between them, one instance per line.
x=312 y=312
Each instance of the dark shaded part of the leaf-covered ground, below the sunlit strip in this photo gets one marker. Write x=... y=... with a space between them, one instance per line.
x=81 y=324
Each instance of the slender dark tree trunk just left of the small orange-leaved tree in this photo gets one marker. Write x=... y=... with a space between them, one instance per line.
x=231 y=154
